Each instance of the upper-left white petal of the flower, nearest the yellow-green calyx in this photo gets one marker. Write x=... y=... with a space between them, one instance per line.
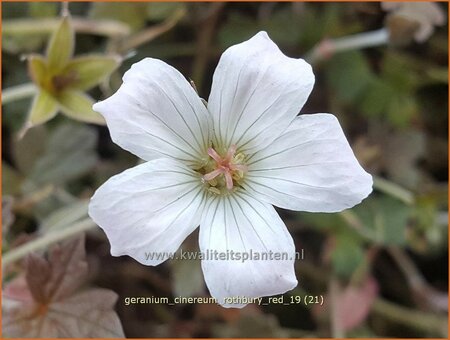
x=157 y=113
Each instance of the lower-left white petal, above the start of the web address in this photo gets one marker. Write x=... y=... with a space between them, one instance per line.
x=150 y=208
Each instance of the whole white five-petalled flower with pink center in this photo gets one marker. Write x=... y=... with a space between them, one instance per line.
x=223 y=166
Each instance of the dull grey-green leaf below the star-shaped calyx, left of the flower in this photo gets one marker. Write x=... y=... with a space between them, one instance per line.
x=69 y=154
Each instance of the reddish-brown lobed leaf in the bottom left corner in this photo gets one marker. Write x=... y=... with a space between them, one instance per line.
x=46 y=305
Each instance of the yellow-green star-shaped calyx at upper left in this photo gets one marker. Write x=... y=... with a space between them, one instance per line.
x=62 y=79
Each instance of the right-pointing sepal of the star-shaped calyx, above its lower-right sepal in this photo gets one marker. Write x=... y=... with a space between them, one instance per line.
x=89 y=71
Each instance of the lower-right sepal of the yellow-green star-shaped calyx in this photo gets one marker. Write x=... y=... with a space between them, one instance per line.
x=78 y=105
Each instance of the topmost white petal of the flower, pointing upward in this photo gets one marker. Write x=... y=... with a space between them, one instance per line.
x=256 y=93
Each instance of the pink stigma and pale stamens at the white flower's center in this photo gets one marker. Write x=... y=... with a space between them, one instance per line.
x=224 y=172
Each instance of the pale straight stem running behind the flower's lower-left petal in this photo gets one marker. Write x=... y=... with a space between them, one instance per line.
x=47 y=239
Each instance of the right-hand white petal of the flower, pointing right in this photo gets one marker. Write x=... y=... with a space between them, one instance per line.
x=311 y=167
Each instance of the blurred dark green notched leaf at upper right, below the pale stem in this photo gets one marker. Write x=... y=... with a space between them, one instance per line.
x=390 y=94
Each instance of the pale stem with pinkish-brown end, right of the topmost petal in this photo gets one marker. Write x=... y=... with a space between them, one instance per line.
x=328 y=47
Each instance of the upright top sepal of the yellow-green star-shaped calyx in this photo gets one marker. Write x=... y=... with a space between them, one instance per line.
x=61 y=46
